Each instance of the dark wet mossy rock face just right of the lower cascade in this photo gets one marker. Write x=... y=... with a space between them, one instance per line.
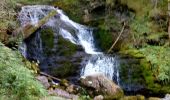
x=133 y=74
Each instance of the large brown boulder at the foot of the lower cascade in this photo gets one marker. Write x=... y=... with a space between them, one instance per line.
x=102 y=85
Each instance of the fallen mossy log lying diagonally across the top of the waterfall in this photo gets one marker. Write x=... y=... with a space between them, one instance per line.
x=29 y=29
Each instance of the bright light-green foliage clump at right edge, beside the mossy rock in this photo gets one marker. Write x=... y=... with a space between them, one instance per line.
x=158 y=56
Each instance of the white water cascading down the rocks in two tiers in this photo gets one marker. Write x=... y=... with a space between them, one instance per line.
x=77 y=34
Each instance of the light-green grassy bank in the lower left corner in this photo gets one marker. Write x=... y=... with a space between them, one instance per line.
x=16 y=80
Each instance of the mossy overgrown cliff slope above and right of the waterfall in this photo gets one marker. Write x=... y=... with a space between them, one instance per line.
x=145 y=37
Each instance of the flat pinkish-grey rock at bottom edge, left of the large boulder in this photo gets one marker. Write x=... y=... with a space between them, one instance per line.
x=64 y=94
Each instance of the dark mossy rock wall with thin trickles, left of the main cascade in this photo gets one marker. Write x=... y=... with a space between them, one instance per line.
x=57 y=56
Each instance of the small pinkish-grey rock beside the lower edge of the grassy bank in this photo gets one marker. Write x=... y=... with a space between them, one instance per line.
x=44 y=81
